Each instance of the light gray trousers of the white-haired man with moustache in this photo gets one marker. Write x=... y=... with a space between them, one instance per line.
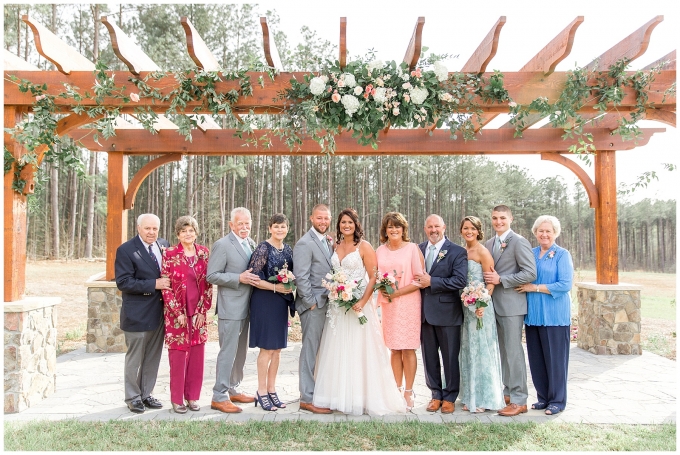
x=233 y=334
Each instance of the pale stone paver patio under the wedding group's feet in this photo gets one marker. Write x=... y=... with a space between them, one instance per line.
x=602 y=390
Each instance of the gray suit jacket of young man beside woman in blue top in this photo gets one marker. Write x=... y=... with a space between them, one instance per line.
x=515 y=265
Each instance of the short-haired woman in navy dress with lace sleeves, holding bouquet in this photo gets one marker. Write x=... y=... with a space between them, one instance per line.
x=269 y=306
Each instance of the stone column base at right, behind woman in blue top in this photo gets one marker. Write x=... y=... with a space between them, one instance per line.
x=609 y=318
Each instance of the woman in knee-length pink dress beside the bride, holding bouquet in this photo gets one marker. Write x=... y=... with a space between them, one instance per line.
x=401 y=310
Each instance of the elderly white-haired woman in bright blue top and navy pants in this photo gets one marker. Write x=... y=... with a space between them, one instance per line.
x=548 y=317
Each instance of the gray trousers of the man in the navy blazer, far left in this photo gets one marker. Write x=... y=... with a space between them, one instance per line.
x=141 y=362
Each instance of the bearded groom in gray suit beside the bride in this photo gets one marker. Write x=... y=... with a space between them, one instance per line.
x=312 y=258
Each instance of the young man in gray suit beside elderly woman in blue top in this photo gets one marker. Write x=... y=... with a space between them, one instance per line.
x=513 y=266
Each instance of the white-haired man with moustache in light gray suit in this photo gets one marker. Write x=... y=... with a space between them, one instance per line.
x=227 y=269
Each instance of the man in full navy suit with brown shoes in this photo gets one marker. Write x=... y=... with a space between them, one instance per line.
x=442 y=313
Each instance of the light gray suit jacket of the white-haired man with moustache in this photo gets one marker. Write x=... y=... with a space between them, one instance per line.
x=227 y=261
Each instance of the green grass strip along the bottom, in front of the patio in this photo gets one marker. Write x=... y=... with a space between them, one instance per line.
x=308 y=436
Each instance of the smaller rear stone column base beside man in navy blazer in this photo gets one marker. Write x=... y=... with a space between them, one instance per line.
x=103 y=316
